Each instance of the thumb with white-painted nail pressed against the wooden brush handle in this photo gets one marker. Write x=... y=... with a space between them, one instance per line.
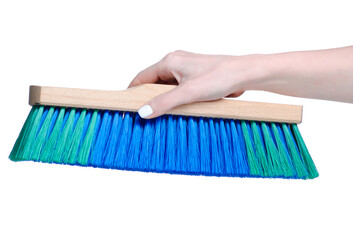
x=166 y=101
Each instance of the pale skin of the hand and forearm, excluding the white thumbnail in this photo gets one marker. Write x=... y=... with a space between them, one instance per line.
x=320 y=74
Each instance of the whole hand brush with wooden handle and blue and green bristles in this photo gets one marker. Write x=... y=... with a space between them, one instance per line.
x=218 y=138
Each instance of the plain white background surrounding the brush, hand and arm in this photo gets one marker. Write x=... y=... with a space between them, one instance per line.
x=103 y=45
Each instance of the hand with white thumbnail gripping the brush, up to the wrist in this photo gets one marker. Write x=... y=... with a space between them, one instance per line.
x=199 y=78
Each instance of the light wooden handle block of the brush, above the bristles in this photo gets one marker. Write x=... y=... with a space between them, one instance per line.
x=134 y=98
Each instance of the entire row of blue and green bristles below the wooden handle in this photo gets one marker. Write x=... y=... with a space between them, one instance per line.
x=168 y=144
